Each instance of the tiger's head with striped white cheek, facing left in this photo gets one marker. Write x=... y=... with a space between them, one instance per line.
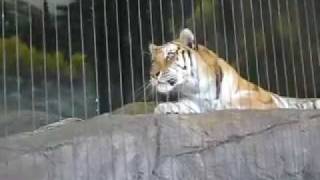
x=173 y=63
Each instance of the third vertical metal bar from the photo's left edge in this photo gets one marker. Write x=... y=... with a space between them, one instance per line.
x=31 y=66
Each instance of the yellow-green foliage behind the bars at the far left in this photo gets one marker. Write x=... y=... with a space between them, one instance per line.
x=9 y=53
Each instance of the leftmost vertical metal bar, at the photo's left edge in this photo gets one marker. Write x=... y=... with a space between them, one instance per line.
x=4 y=62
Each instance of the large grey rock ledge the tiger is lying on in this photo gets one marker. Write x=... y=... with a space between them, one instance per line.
x=227 y=145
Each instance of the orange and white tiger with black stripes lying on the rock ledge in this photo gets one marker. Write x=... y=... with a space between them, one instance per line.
x=207 y=82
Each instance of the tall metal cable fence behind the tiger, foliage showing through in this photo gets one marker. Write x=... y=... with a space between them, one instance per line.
x=86 y=57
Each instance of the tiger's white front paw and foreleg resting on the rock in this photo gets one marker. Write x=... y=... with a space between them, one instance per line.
x=184 y=106
